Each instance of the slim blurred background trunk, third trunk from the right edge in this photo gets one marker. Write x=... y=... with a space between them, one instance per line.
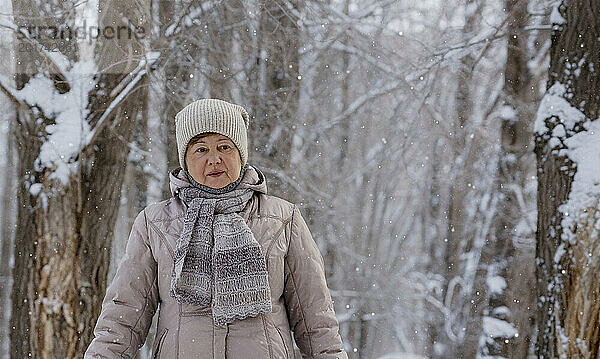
x=459 y=232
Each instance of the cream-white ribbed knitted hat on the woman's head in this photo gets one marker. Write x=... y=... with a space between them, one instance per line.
x=212 y=115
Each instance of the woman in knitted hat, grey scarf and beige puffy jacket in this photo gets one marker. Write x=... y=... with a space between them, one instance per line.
x=234 y=269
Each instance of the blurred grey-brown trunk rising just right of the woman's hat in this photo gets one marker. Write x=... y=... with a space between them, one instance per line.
x=276 y=101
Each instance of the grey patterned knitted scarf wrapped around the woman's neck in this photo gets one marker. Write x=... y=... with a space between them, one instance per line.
x=218 y=262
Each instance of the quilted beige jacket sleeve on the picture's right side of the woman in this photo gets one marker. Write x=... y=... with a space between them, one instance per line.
x=308 y=301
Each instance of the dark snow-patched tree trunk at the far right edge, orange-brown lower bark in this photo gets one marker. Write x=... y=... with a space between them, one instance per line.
x=567 y=136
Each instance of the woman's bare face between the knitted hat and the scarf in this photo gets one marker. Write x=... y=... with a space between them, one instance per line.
x=213 y=160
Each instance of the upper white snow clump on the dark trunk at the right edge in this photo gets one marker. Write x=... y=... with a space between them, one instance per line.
x=554 y=104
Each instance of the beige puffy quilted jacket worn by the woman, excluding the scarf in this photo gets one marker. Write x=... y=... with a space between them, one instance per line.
x=300 y=297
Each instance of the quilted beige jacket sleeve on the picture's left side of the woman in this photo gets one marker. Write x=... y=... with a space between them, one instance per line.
x=130 y=302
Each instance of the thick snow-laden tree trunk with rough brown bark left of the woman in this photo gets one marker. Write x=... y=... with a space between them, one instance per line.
x=77 y=99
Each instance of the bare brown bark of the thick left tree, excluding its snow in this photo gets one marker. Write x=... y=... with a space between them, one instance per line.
x=65 y=225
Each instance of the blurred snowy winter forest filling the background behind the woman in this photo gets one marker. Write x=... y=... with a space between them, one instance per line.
x=404 y=131
